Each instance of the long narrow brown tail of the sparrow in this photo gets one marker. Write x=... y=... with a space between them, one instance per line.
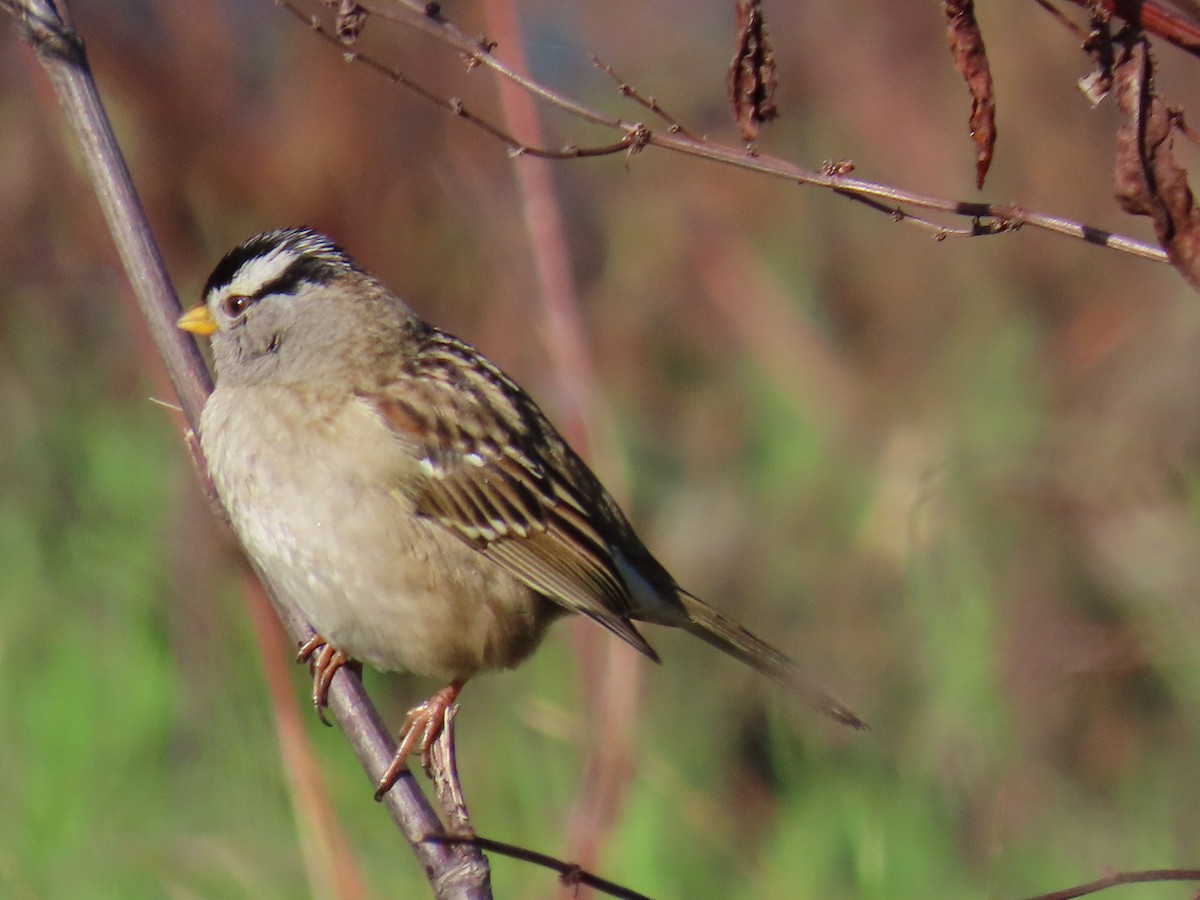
x=729 y=637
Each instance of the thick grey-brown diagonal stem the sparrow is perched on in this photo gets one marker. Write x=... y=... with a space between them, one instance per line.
x=61 y=51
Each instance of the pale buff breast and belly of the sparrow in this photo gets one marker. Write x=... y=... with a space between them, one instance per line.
x=328 y=525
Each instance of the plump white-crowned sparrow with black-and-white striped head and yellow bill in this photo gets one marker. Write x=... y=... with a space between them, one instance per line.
x=407 y=495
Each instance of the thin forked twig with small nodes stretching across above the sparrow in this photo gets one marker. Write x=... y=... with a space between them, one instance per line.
x=893 y=201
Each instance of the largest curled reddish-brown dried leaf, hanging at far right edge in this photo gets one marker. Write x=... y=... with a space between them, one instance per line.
x=1149 y=181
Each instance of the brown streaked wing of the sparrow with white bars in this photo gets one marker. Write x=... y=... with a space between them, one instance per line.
x=490 y=477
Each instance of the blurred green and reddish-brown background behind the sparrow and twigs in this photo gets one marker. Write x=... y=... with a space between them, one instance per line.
x=958 y=479
